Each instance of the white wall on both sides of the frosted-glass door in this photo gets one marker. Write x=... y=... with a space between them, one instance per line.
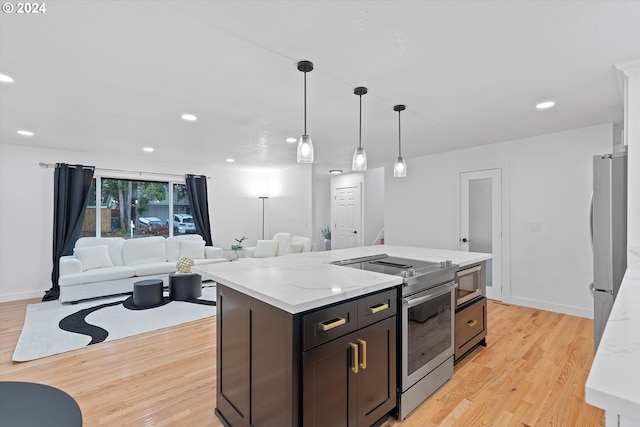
x=546 y=178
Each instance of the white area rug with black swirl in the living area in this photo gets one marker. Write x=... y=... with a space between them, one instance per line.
x=52 y=327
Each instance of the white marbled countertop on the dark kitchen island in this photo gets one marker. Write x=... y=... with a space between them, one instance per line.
x=301 y=282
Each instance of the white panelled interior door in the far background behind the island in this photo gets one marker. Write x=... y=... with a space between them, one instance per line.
x=347 y=227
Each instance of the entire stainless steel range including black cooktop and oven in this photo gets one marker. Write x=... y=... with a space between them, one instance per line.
x=427 y=302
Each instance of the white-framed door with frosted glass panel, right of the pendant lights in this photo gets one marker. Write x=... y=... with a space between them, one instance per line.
x=481 y=221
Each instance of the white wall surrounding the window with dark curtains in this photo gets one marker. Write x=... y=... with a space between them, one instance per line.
x=26 y=207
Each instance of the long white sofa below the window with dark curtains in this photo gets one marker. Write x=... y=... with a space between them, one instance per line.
x=108 y=266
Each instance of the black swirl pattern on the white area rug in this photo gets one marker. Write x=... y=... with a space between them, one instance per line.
x=77 y=323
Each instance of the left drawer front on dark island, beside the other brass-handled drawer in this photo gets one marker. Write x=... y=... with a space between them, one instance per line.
x=329 y=323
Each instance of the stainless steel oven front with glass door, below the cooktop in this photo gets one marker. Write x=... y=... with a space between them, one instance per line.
x=427 y=323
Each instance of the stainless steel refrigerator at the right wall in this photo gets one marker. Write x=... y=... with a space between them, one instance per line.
x=609 y=234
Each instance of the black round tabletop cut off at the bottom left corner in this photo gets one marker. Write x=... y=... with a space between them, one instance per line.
x=29 y=404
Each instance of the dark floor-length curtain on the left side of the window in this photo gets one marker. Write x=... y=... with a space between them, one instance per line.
x=71 y=185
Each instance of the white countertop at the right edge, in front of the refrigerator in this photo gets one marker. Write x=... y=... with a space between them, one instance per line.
x=614 y=380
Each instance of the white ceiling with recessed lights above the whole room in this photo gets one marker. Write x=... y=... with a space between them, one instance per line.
x=115 y=76
